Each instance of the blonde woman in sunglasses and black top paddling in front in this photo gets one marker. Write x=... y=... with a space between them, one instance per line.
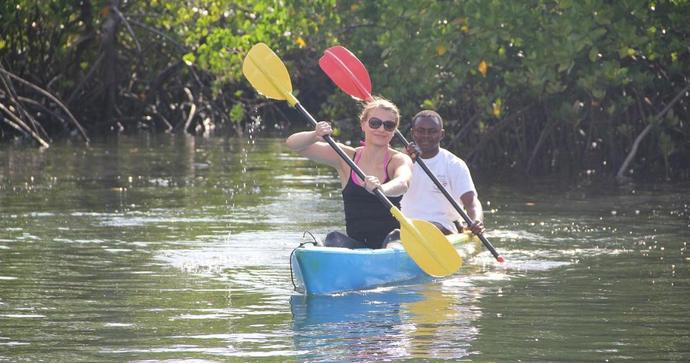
x=368 y=221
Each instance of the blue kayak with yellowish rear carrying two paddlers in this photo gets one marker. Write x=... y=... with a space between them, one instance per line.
x=319 y=270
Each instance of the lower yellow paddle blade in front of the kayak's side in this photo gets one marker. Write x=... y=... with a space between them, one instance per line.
x=427 y=246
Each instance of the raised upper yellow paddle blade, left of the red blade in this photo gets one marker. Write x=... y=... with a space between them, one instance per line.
x=267 y=74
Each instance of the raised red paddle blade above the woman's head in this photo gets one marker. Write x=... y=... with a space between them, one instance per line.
x=347 y=72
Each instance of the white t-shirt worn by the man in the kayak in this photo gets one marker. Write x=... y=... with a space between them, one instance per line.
x=424 y=201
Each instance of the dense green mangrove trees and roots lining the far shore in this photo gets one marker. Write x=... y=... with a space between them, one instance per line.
x=540 y=88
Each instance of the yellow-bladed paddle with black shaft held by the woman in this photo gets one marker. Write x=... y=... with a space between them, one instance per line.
x=425 y=244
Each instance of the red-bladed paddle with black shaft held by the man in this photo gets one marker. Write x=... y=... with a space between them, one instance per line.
x=350 y=75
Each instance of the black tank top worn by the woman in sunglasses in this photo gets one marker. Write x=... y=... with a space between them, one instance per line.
x=366 y=219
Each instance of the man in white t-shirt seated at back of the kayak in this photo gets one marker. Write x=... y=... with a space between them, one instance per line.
x=423 y=200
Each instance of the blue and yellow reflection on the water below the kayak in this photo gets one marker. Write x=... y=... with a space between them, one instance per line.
x=386 y=324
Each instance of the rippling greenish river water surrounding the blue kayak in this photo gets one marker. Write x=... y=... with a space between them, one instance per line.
x=173 y=248
